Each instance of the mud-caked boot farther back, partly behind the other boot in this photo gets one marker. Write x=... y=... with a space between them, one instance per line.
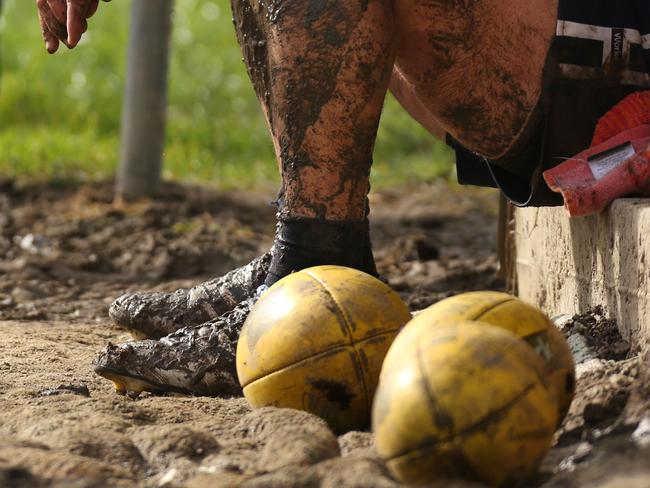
x=155 y=315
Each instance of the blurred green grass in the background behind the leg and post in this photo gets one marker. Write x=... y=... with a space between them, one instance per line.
x=60 y=115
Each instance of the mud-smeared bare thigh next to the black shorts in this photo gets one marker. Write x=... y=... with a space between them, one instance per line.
x=473 y=68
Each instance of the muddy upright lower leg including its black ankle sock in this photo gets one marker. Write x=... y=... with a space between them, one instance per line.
x=321 y=72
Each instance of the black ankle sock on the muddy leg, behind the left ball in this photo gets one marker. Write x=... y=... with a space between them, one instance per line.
x=301 y=243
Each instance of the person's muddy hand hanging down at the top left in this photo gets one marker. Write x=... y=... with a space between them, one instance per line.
x=64 y=21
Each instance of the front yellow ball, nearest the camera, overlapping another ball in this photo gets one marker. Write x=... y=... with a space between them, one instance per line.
x=469 y=401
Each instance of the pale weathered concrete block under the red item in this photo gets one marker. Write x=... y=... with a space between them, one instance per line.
x=570 y=265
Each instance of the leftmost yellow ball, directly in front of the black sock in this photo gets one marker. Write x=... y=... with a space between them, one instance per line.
x=316 y=340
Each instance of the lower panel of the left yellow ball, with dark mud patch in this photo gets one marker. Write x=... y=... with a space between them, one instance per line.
x=328 y=385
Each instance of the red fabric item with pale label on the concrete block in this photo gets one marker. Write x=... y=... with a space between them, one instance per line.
x=617 y=163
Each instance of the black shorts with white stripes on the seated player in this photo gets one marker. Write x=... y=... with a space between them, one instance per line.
x=600 y=54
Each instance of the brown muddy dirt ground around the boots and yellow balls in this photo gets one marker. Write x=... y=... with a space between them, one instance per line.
x=66 y=252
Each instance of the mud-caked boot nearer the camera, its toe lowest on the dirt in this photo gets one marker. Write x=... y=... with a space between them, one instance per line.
x=197 y=360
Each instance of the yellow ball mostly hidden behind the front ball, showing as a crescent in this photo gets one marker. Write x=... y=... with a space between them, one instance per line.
x=508 y=312
